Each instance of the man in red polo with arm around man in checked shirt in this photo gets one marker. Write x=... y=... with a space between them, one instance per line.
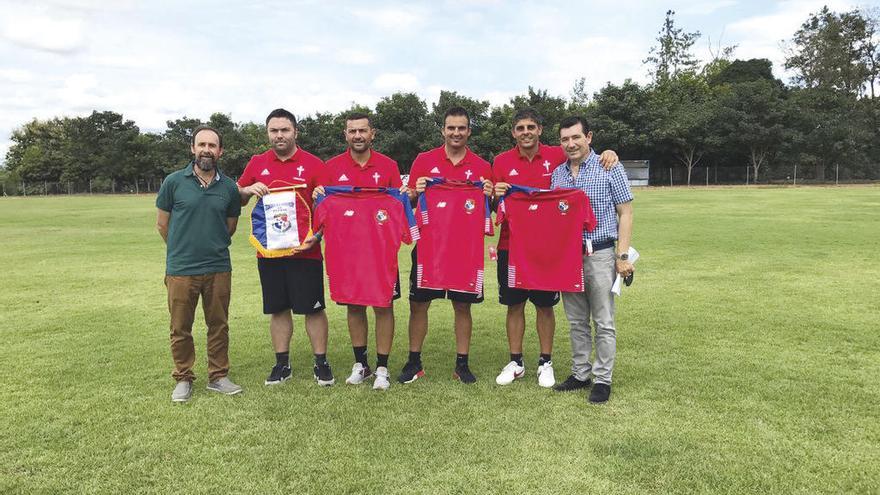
x=529 y=163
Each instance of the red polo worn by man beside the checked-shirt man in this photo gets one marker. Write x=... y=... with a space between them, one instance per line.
x=515 y=168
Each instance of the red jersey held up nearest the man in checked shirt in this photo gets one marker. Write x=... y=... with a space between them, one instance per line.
x=542 y=219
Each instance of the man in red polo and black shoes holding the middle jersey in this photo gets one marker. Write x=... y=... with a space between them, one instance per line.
x=453 y=161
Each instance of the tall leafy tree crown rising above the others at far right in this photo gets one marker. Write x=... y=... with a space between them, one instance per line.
x=834 y=51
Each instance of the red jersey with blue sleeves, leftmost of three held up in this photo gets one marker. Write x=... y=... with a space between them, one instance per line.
x=362 y=235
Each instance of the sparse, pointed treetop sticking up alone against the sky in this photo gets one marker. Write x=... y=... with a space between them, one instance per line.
x=672 y=56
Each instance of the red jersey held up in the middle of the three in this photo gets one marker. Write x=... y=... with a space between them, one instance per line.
x=454 y=217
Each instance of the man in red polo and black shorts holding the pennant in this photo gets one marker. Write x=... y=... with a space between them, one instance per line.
x=292 y=284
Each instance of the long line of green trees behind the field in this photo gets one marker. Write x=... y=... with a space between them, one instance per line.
x=723 y=113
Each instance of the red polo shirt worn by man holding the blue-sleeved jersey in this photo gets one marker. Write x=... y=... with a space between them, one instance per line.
x=379 y=171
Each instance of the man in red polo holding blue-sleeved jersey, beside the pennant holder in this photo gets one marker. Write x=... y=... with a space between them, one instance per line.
x=362 y=166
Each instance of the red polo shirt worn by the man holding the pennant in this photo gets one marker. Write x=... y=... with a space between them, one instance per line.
x=302 y=168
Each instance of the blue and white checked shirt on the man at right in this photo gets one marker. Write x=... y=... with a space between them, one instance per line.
x=605 y=188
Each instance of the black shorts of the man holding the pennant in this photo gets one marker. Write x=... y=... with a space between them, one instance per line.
x=294 y=284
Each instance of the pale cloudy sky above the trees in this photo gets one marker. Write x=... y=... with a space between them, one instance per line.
x=155 y=61
